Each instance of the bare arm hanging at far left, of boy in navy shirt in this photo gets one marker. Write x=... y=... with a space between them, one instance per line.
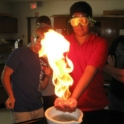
x=5 y=77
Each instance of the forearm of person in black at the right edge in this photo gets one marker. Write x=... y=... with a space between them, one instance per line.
x=115 y=72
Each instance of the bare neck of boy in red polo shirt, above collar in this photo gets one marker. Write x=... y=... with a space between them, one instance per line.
x=82 y=39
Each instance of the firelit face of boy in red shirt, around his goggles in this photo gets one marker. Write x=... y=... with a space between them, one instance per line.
x=79 y=29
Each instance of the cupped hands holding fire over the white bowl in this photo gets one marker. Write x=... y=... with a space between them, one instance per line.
x=68 y=105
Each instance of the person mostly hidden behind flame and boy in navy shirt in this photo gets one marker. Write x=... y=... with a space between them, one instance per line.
x=48 y=94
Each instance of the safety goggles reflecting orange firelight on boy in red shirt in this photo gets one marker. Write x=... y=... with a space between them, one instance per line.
x=83 y=21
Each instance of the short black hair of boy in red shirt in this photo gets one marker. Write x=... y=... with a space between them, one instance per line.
x=82 y=7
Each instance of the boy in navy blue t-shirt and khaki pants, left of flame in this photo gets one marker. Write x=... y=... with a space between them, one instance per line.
x=21 y=77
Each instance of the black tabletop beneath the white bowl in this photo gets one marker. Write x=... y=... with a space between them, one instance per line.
x=103 y=117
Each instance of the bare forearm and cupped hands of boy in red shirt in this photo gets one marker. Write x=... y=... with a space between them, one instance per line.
x=85 y=80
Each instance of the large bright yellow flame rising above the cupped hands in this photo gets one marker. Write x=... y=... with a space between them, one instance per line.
x=55 y=47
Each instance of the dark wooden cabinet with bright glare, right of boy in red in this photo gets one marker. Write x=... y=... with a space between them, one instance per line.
x=111 y=27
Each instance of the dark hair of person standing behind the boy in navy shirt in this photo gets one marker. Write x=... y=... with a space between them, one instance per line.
x=43 y=19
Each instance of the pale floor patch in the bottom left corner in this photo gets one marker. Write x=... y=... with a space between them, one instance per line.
x=4 y=116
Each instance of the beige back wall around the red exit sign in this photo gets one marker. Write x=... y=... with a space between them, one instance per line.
x=22 y=10
